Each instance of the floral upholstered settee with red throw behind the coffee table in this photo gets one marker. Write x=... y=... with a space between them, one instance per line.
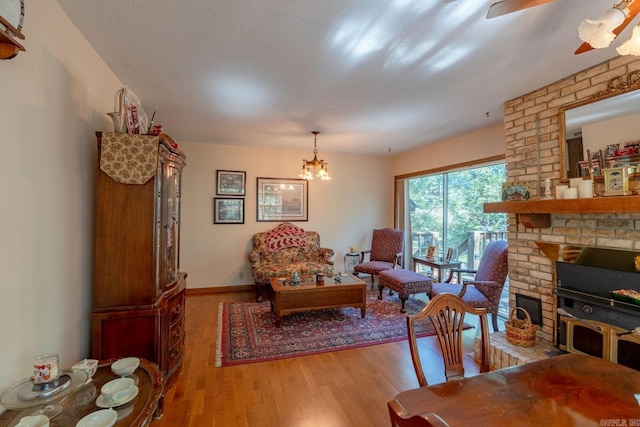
x=285 y=250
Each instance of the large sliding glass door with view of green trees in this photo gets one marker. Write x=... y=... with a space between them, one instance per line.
x=445 y=210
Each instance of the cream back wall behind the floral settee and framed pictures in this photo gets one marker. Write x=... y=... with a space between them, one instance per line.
x=344 y=210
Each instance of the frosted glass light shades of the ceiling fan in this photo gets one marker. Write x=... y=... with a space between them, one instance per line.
x=600 y=33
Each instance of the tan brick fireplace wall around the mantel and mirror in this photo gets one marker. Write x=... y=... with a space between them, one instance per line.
x=533 y=154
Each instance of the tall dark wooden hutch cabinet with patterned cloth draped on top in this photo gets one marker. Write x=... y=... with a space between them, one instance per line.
x=138 y=289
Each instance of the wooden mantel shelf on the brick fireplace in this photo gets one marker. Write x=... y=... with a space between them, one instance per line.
x=537 y=213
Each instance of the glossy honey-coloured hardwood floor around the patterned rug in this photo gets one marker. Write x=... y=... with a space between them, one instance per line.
x=343 y=388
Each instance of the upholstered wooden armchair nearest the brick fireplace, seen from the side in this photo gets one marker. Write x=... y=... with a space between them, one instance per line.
x=485 y=289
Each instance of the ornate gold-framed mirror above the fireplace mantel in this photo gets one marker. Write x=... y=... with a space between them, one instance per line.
x=606 y=118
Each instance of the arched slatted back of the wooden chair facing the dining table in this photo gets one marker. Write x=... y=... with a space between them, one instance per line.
x=447 y=312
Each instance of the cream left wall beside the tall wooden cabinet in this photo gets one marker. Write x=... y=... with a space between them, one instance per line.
x=54 y=97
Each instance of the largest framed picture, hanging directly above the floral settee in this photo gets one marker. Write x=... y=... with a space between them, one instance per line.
x=282 y=199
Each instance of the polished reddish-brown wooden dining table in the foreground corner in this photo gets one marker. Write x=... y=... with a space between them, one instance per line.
x=565 y=390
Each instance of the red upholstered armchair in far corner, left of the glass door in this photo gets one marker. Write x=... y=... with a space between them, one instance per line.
x=385 y=253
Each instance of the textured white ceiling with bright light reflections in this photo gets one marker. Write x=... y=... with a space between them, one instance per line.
x=371 y=75
